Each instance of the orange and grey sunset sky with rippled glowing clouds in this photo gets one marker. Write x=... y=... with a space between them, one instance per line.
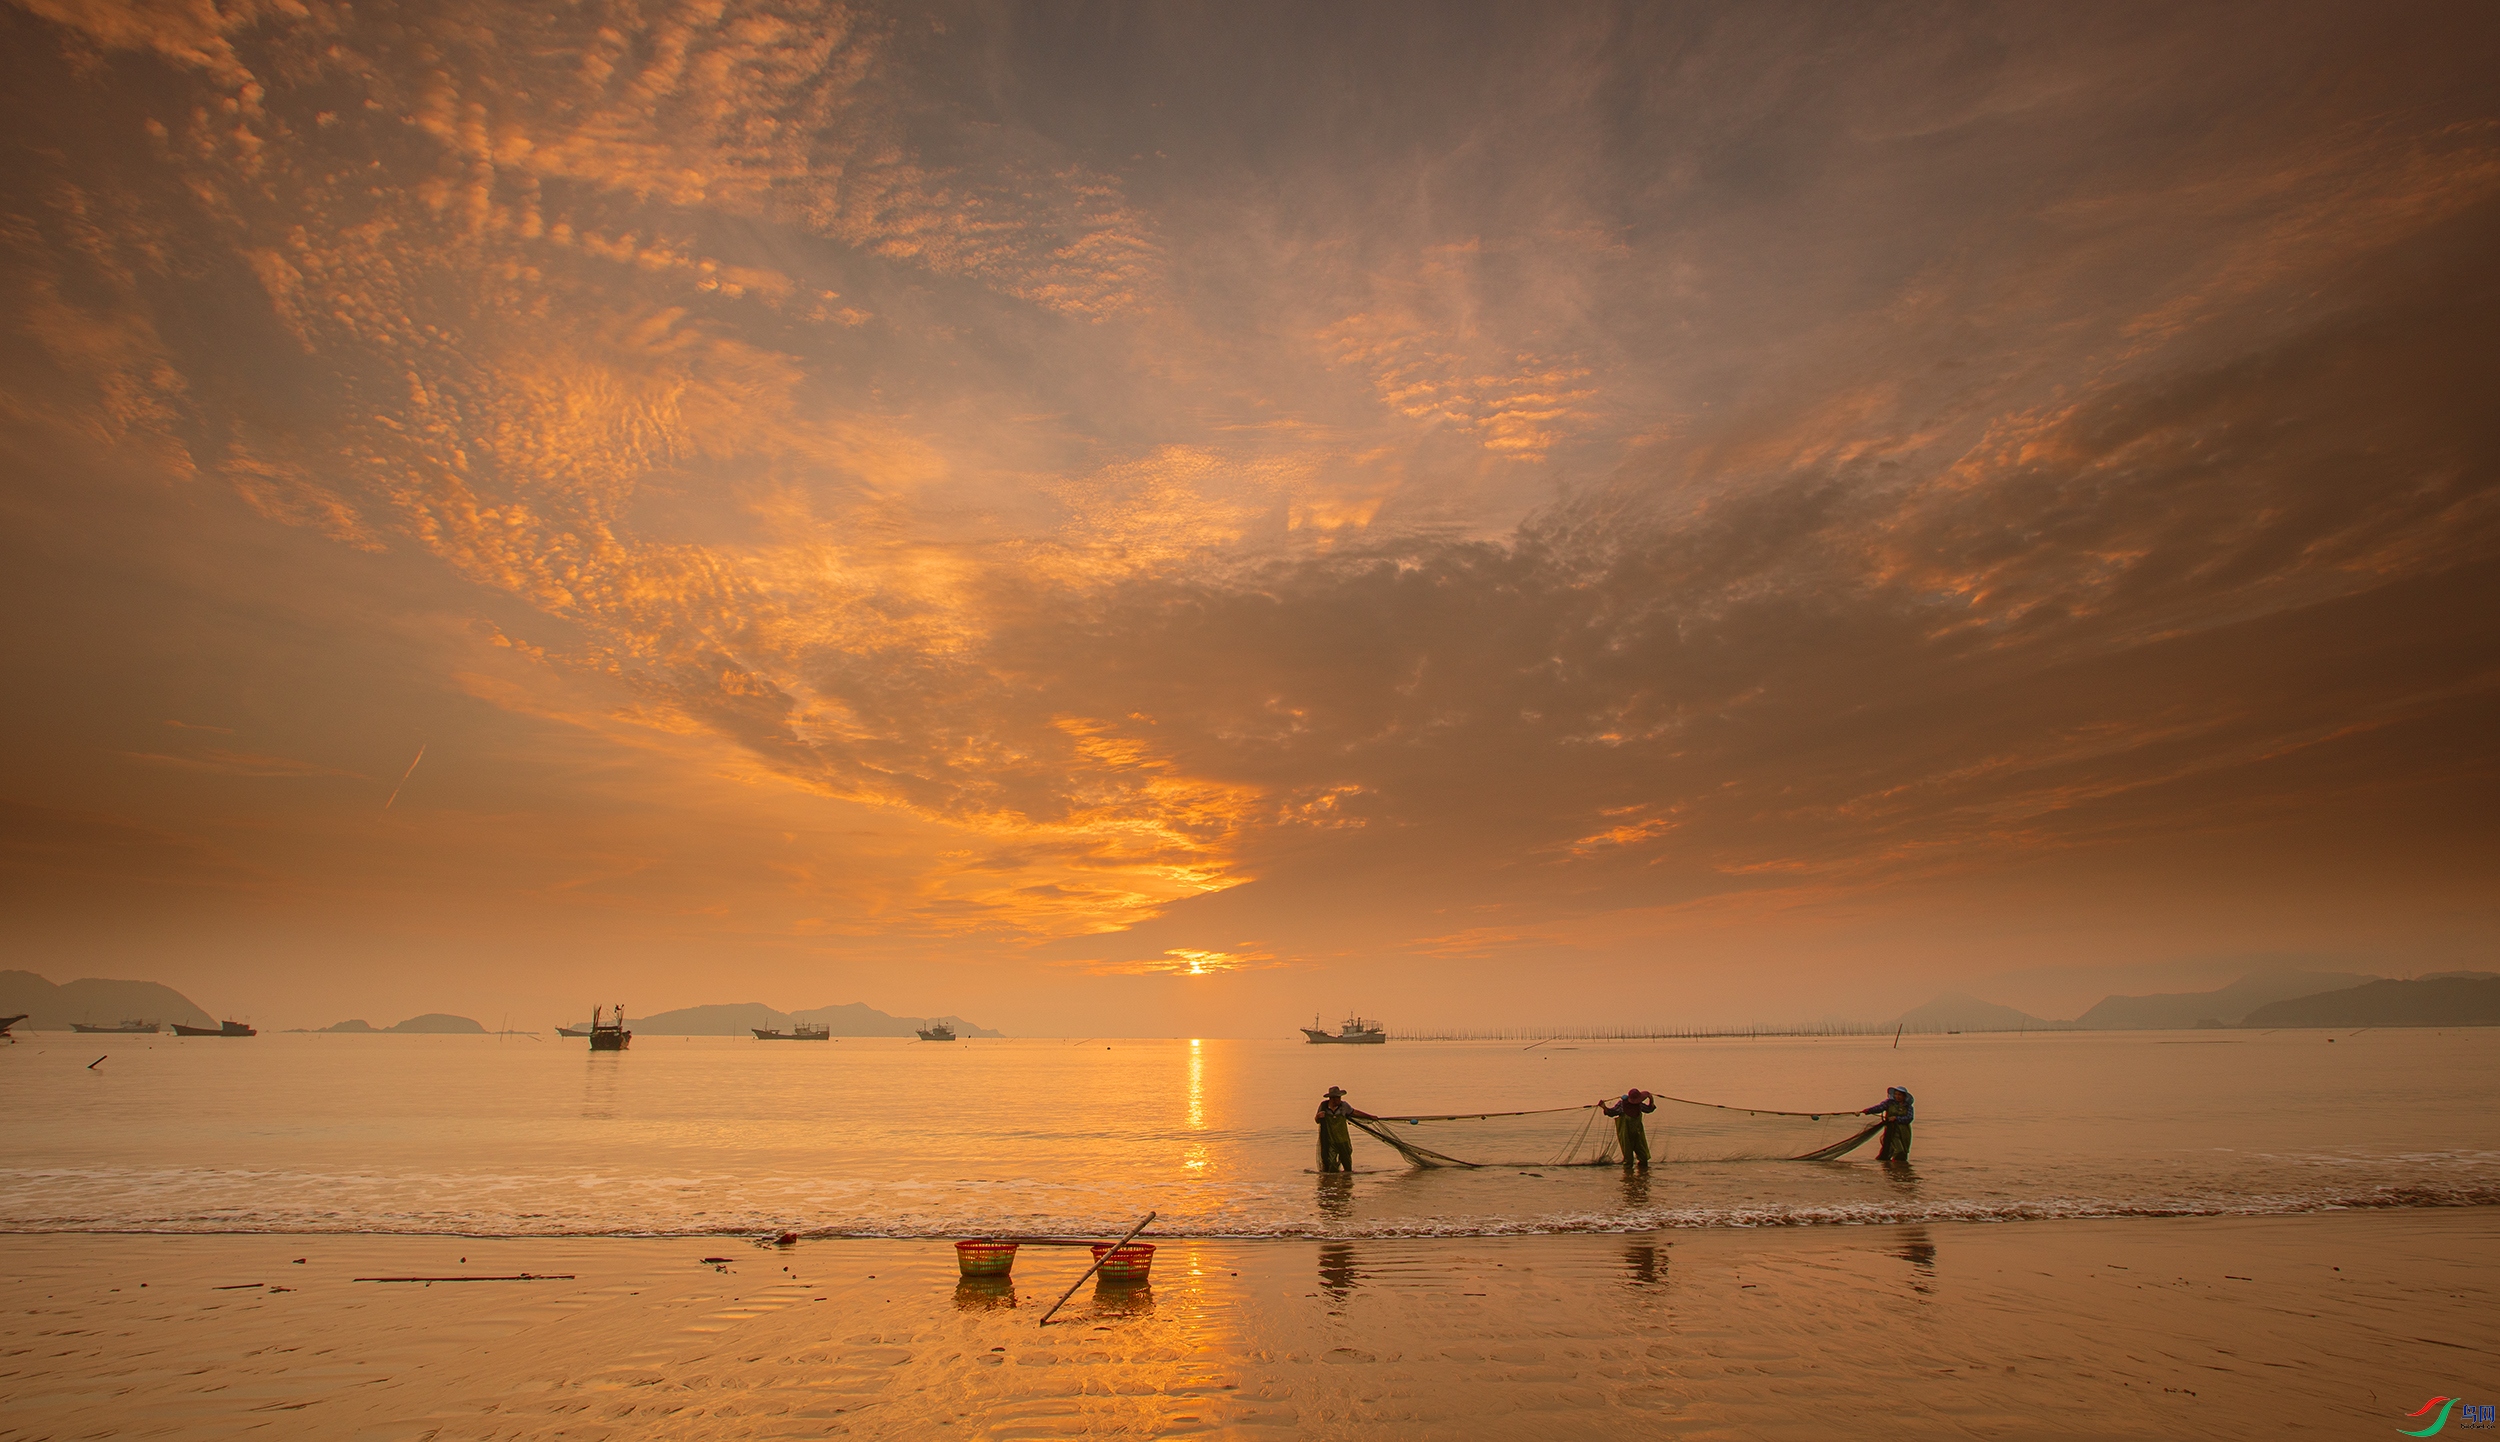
x=1174 y=519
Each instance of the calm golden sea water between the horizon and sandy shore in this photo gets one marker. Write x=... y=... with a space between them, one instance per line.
x=879 y=1138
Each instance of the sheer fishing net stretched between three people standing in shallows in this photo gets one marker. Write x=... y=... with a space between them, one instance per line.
x=1586 y=1138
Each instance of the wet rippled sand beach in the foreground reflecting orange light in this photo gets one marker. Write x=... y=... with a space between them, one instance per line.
x=2321 y=1326
